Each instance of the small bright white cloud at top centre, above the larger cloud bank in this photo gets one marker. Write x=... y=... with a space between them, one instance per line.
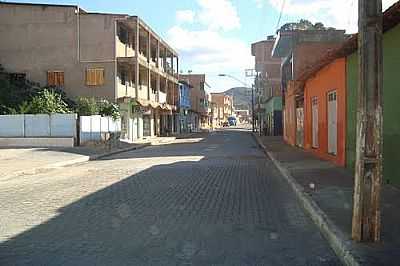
x=218 y=14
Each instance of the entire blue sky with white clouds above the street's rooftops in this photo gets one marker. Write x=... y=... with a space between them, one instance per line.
x=214 y=36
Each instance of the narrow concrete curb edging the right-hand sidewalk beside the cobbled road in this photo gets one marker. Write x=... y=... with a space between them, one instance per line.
x=341 y=245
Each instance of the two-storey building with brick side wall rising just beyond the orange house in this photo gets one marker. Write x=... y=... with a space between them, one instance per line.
x=300 y=50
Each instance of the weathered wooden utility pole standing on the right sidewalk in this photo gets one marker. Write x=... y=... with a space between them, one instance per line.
x=368 y=172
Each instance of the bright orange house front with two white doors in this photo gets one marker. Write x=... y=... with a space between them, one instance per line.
x=325 y=111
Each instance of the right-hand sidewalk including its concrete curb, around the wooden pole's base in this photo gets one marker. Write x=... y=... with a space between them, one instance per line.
x=325 y=191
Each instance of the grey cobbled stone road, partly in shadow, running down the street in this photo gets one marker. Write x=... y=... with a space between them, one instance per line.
x=211 y=201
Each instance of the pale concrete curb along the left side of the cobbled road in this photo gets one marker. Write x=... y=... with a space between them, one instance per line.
x=82 y=159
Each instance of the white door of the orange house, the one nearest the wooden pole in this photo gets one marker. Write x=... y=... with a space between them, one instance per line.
x=332 y=123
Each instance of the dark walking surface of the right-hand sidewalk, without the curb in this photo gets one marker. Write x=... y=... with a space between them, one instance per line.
x=333 y=192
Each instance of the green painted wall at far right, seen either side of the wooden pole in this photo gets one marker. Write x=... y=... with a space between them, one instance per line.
x=391 y=111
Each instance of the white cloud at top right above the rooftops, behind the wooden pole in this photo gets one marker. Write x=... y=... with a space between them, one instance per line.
x=341 y=14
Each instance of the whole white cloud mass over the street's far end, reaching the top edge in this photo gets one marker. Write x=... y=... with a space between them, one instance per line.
x=204 y=48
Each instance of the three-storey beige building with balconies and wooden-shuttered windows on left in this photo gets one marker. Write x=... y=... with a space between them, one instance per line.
x=106 y=56
